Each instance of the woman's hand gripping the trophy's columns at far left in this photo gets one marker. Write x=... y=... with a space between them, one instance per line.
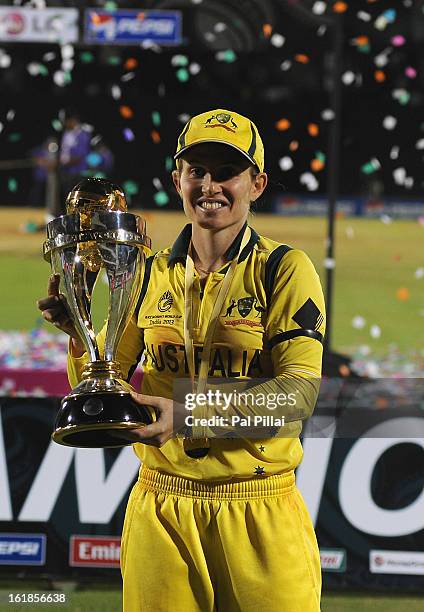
x=53 y=309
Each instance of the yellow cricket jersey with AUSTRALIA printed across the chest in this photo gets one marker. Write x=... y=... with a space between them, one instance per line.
x=271 y=324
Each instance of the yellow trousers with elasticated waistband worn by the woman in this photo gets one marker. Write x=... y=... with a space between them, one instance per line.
x=191 y=546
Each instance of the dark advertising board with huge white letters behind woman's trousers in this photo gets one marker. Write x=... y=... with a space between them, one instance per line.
x=62 y=509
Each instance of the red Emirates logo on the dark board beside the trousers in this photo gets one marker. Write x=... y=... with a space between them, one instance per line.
x=98 y=551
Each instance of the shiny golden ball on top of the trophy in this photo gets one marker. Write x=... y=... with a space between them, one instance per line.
x=95 y=194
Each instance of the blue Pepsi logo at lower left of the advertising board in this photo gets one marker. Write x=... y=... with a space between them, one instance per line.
x=22 y=549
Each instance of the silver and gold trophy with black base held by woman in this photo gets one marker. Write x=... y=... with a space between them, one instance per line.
x=97 y=234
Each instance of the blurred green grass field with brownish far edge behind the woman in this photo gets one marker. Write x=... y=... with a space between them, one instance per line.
x=375 y=275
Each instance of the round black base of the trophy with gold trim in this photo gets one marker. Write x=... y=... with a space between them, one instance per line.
x=94 y=420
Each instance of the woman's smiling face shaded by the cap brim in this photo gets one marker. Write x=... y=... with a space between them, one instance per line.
x=217 y=185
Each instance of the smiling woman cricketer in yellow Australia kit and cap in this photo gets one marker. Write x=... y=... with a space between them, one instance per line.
x=216 y=523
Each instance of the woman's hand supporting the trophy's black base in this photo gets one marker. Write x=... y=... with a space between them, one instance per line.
x=170 y=420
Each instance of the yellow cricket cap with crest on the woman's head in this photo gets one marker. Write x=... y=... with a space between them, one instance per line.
x=225 y=127
